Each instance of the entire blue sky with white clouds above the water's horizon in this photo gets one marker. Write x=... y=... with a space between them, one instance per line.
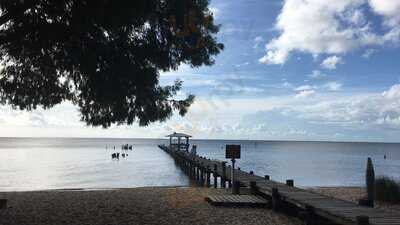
x=291 y=70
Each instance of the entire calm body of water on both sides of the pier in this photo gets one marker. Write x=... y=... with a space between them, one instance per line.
x=34 y=164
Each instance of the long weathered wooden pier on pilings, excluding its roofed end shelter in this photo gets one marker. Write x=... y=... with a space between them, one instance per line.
x=307 y=205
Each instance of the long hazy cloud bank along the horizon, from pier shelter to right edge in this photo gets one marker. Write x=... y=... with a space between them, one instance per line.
x=338 y=117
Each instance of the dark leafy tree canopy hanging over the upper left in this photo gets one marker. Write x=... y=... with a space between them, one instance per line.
x=102 y=55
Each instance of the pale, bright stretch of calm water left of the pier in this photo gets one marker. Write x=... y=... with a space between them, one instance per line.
x=55 y=164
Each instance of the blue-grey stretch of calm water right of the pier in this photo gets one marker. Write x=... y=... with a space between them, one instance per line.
x=311 y=163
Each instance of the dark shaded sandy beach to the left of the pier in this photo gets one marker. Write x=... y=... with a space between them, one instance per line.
x=130 y=206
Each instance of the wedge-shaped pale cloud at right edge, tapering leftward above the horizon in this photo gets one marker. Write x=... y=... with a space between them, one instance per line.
x=374 y=110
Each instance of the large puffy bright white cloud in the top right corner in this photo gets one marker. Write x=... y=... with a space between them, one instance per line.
x=330 y=27
